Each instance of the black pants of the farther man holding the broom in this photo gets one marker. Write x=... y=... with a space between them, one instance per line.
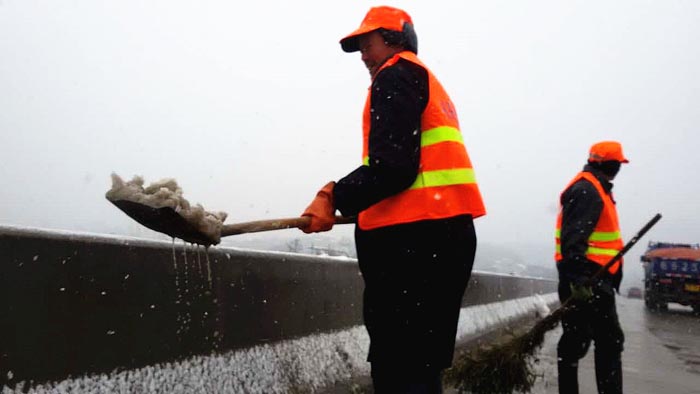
x=597 y=321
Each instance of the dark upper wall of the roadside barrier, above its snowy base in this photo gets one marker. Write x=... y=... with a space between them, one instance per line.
x=75 y=304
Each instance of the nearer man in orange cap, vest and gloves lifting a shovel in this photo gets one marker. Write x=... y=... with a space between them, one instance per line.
x=415 y=196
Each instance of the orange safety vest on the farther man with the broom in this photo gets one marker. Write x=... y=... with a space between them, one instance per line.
x=605 y=241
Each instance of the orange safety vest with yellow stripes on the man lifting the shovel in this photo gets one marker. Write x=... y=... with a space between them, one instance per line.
x=445 y=185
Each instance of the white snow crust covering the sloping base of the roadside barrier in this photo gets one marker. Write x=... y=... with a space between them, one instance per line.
x=305 y=364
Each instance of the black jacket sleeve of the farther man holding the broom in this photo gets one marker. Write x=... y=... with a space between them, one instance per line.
x=581 y=209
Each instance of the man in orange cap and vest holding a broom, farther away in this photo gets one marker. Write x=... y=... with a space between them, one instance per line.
x=587 y=237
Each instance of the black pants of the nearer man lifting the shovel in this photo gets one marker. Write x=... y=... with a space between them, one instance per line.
x=415 y=276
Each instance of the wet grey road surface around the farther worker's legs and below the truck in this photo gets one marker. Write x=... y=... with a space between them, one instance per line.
x=662 y=353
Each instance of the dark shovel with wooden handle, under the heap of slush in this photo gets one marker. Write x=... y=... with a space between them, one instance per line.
x=167 y=221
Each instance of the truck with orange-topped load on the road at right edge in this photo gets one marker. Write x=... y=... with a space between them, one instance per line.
x=671 y=274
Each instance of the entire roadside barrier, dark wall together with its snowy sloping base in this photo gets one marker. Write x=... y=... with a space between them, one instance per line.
x=131 y=315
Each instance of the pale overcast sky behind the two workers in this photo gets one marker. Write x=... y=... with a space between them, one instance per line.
x=252 y=106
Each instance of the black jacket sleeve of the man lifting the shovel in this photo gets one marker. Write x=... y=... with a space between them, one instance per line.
x=399 y=97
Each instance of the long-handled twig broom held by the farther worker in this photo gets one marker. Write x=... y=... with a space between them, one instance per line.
x=507 y=367
